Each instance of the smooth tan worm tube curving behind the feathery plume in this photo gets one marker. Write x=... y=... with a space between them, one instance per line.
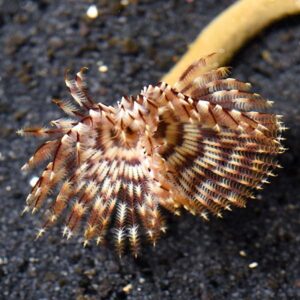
x=229 y=31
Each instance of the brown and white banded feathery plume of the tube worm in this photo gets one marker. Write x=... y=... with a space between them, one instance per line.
x=204 y=144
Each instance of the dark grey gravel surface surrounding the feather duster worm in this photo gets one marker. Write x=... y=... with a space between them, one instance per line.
x=138 y=43
